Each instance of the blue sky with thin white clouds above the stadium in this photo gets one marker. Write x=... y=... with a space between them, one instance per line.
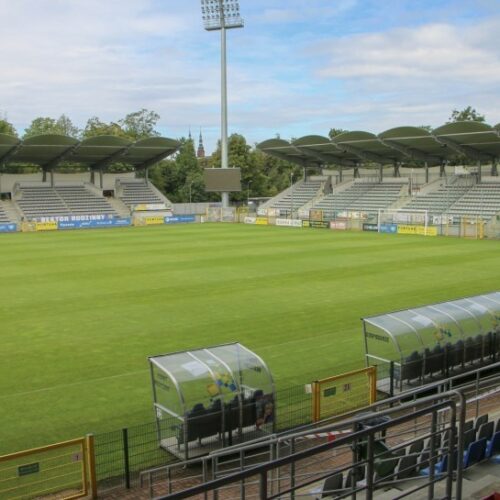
x=296 y=68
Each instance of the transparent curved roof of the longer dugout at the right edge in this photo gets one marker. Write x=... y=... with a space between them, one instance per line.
x=395 y=335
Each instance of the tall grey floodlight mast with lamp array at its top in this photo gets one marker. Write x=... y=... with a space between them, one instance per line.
x=222 y=15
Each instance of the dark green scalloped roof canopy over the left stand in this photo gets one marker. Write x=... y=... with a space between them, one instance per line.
x=96 y=153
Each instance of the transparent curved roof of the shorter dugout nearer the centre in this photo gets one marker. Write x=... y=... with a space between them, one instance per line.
x=182 y=380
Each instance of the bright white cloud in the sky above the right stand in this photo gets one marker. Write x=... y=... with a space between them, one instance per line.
x=432 y=52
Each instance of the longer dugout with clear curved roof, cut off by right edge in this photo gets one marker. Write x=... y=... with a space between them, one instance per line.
x=412 y=346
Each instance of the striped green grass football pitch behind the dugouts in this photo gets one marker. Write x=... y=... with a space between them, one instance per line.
x=82 y=310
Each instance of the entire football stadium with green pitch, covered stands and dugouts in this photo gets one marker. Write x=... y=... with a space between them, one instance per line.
x=339 y=338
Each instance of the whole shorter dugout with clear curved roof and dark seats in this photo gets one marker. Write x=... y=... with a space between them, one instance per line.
x=211 y=398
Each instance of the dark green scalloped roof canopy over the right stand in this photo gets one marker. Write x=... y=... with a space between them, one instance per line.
x=473 y=140
